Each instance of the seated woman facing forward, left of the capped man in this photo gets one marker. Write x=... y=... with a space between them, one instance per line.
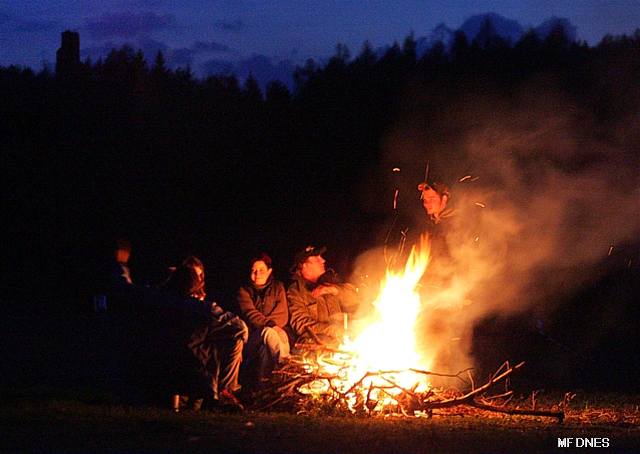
x=263 y=306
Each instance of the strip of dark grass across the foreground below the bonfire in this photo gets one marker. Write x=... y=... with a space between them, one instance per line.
x=53 y=421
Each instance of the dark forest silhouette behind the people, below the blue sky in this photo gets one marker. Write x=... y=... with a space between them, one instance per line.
x=217 y=167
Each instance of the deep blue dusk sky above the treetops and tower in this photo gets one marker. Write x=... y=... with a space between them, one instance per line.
x=197 y=31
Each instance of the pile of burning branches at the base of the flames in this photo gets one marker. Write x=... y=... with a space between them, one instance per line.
x=304 y=386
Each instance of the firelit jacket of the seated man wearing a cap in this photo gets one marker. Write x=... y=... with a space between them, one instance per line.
x=321 y=316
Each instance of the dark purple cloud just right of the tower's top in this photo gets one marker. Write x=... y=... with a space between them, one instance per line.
x=128 y=25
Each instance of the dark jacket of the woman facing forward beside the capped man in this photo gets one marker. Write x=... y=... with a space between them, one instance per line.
x=266 y=306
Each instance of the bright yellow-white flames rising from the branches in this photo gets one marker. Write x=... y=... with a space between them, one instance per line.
x=377 y=365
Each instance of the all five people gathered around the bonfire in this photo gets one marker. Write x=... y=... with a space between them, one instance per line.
x=225 y=348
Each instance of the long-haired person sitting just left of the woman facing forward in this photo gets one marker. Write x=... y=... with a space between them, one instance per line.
x=215 y=341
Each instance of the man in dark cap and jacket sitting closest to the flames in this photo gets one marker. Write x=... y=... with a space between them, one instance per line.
x=317 y=302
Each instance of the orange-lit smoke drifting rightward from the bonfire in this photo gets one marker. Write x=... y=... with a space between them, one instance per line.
x=543 y=190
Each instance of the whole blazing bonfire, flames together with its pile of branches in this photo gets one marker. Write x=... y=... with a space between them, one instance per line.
x=379 y=371
